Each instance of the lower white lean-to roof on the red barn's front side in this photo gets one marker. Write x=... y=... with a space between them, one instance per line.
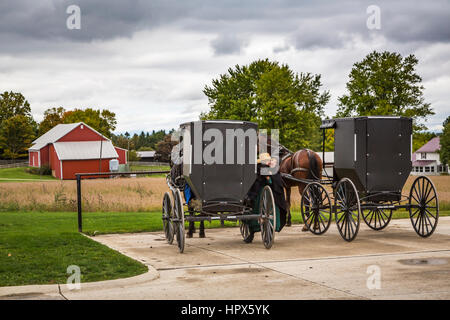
x=85 y=150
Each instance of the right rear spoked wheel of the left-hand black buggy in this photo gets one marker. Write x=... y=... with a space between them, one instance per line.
x=268 y=219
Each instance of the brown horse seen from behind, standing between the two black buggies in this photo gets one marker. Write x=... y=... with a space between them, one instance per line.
x=303 y=164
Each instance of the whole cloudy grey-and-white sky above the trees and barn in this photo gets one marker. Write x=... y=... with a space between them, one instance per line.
x=148 y=61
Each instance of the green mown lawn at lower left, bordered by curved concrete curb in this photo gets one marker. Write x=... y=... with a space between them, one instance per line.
x=37 y=248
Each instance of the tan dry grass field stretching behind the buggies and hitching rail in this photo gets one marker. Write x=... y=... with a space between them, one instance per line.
x=123 y=194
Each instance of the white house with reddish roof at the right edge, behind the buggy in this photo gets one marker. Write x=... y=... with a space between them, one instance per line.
x=426 y=160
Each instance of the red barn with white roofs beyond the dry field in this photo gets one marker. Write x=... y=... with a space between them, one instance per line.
x=74 y=148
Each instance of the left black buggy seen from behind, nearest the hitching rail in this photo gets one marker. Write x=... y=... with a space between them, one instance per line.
x=218 y=191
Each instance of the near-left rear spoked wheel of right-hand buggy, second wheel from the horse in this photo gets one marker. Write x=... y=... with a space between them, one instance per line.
x=348 y=209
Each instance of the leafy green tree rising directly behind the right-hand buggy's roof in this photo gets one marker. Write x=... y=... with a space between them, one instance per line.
x=385 y=84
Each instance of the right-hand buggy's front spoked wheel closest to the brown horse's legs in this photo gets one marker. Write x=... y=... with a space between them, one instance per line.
x=316 y=208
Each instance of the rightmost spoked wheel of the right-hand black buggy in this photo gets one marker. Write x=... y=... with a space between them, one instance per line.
x=423 y=206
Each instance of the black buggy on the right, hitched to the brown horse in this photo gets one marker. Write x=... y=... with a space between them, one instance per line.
x=372 y=161
